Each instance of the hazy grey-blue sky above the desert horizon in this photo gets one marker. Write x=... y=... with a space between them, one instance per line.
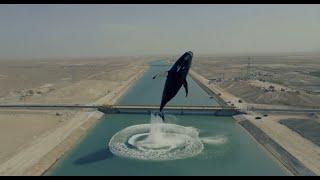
x=37 y=31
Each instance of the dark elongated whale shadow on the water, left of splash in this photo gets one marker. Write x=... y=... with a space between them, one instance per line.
x=99 y=155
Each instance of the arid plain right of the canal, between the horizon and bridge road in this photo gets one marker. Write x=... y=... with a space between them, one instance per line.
x=298 y=76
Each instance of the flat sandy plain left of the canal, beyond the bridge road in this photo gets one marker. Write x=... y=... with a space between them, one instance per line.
x=63 y=81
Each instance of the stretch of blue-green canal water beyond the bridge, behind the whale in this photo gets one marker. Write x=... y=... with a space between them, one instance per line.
x=148 y=91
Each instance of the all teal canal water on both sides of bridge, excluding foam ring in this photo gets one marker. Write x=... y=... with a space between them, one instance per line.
x=228 y=149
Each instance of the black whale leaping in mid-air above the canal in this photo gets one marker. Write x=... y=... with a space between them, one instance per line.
x=176 y=78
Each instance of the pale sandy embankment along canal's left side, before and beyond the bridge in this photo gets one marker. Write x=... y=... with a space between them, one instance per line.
x=47 y=149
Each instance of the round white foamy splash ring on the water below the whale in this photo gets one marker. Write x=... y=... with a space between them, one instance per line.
x=171 y=143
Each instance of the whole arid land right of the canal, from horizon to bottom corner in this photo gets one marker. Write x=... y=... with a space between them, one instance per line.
x=270 y=82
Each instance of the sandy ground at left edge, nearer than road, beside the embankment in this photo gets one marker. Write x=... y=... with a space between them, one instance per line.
x=13 y=136
